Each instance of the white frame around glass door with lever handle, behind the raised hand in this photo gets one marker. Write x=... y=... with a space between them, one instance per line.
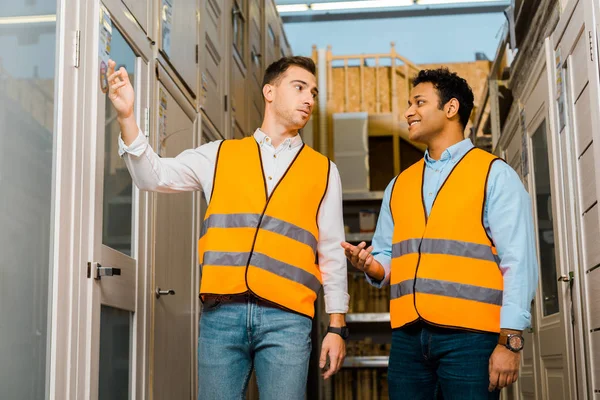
x=92 y=195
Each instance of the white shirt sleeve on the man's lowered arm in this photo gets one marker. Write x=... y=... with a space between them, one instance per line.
x=332 y=261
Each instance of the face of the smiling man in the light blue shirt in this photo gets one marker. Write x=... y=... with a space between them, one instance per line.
x=425 y=119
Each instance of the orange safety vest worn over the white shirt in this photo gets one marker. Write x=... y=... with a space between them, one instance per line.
x=266 y=245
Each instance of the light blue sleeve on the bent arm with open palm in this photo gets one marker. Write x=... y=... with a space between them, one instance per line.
x=382 y=239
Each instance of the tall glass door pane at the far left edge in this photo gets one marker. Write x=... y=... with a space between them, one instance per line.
x=27 y=151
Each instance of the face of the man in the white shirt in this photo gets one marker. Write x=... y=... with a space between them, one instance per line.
x=294 y=96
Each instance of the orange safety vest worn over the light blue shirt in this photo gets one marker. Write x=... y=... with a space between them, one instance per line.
x=445 y=268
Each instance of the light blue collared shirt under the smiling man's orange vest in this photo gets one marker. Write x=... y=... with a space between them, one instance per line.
x=507 y=219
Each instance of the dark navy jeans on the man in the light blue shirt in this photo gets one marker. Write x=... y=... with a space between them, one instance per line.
x=426 y=361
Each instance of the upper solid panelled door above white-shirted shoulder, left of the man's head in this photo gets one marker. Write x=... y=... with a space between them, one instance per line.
x=212 y=63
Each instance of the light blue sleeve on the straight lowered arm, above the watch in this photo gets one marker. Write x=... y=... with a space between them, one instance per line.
x=509 y=221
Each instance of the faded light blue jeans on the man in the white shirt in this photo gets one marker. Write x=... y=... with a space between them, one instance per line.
x=236 y=336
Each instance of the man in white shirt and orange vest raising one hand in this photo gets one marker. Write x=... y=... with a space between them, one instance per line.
x=270 y=238
